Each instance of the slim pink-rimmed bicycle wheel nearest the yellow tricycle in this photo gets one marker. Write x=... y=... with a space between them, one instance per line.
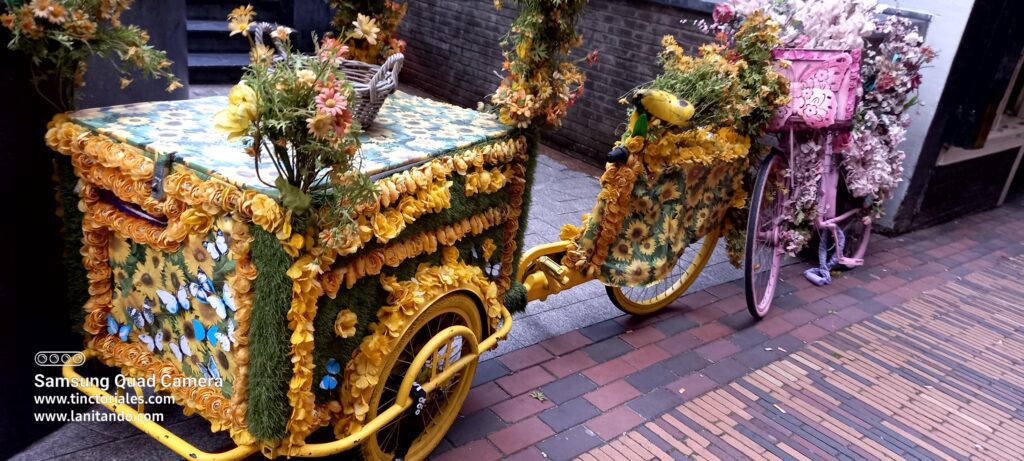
x=763 y=255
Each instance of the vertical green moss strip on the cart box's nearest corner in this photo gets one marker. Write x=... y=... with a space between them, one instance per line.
x=270 y=340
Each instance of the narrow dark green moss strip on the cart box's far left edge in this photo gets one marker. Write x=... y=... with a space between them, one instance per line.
x=77 y=277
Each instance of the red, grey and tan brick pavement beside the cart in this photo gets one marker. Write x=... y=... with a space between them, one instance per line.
x=869 y=367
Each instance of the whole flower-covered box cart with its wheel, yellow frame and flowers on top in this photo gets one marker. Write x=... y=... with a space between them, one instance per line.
x=305 y=286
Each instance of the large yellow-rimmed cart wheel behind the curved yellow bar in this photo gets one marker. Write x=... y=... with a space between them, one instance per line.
x=445 y=402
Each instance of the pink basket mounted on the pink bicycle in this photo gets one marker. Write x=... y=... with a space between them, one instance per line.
x=825 y=87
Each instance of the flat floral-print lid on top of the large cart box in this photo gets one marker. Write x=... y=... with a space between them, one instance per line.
x=409 y=130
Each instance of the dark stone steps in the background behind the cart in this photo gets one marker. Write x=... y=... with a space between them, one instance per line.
x=214 y=56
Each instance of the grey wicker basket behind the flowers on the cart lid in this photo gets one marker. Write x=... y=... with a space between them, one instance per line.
x=373 y=85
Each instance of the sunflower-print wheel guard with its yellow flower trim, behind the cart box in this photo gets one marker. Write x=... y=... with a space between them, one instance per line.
x=669 y=195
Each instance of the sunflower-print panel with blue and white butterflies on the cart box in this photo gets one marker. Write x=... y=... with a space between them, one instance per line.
x=179 y=306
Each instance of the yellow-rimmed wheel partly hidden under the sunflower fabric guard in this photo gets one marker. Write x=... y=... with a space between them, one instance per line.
x=650 y=300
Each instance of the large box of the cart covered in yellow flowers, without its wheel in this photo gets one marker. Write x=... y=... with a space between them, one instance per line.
x=195 y=273
